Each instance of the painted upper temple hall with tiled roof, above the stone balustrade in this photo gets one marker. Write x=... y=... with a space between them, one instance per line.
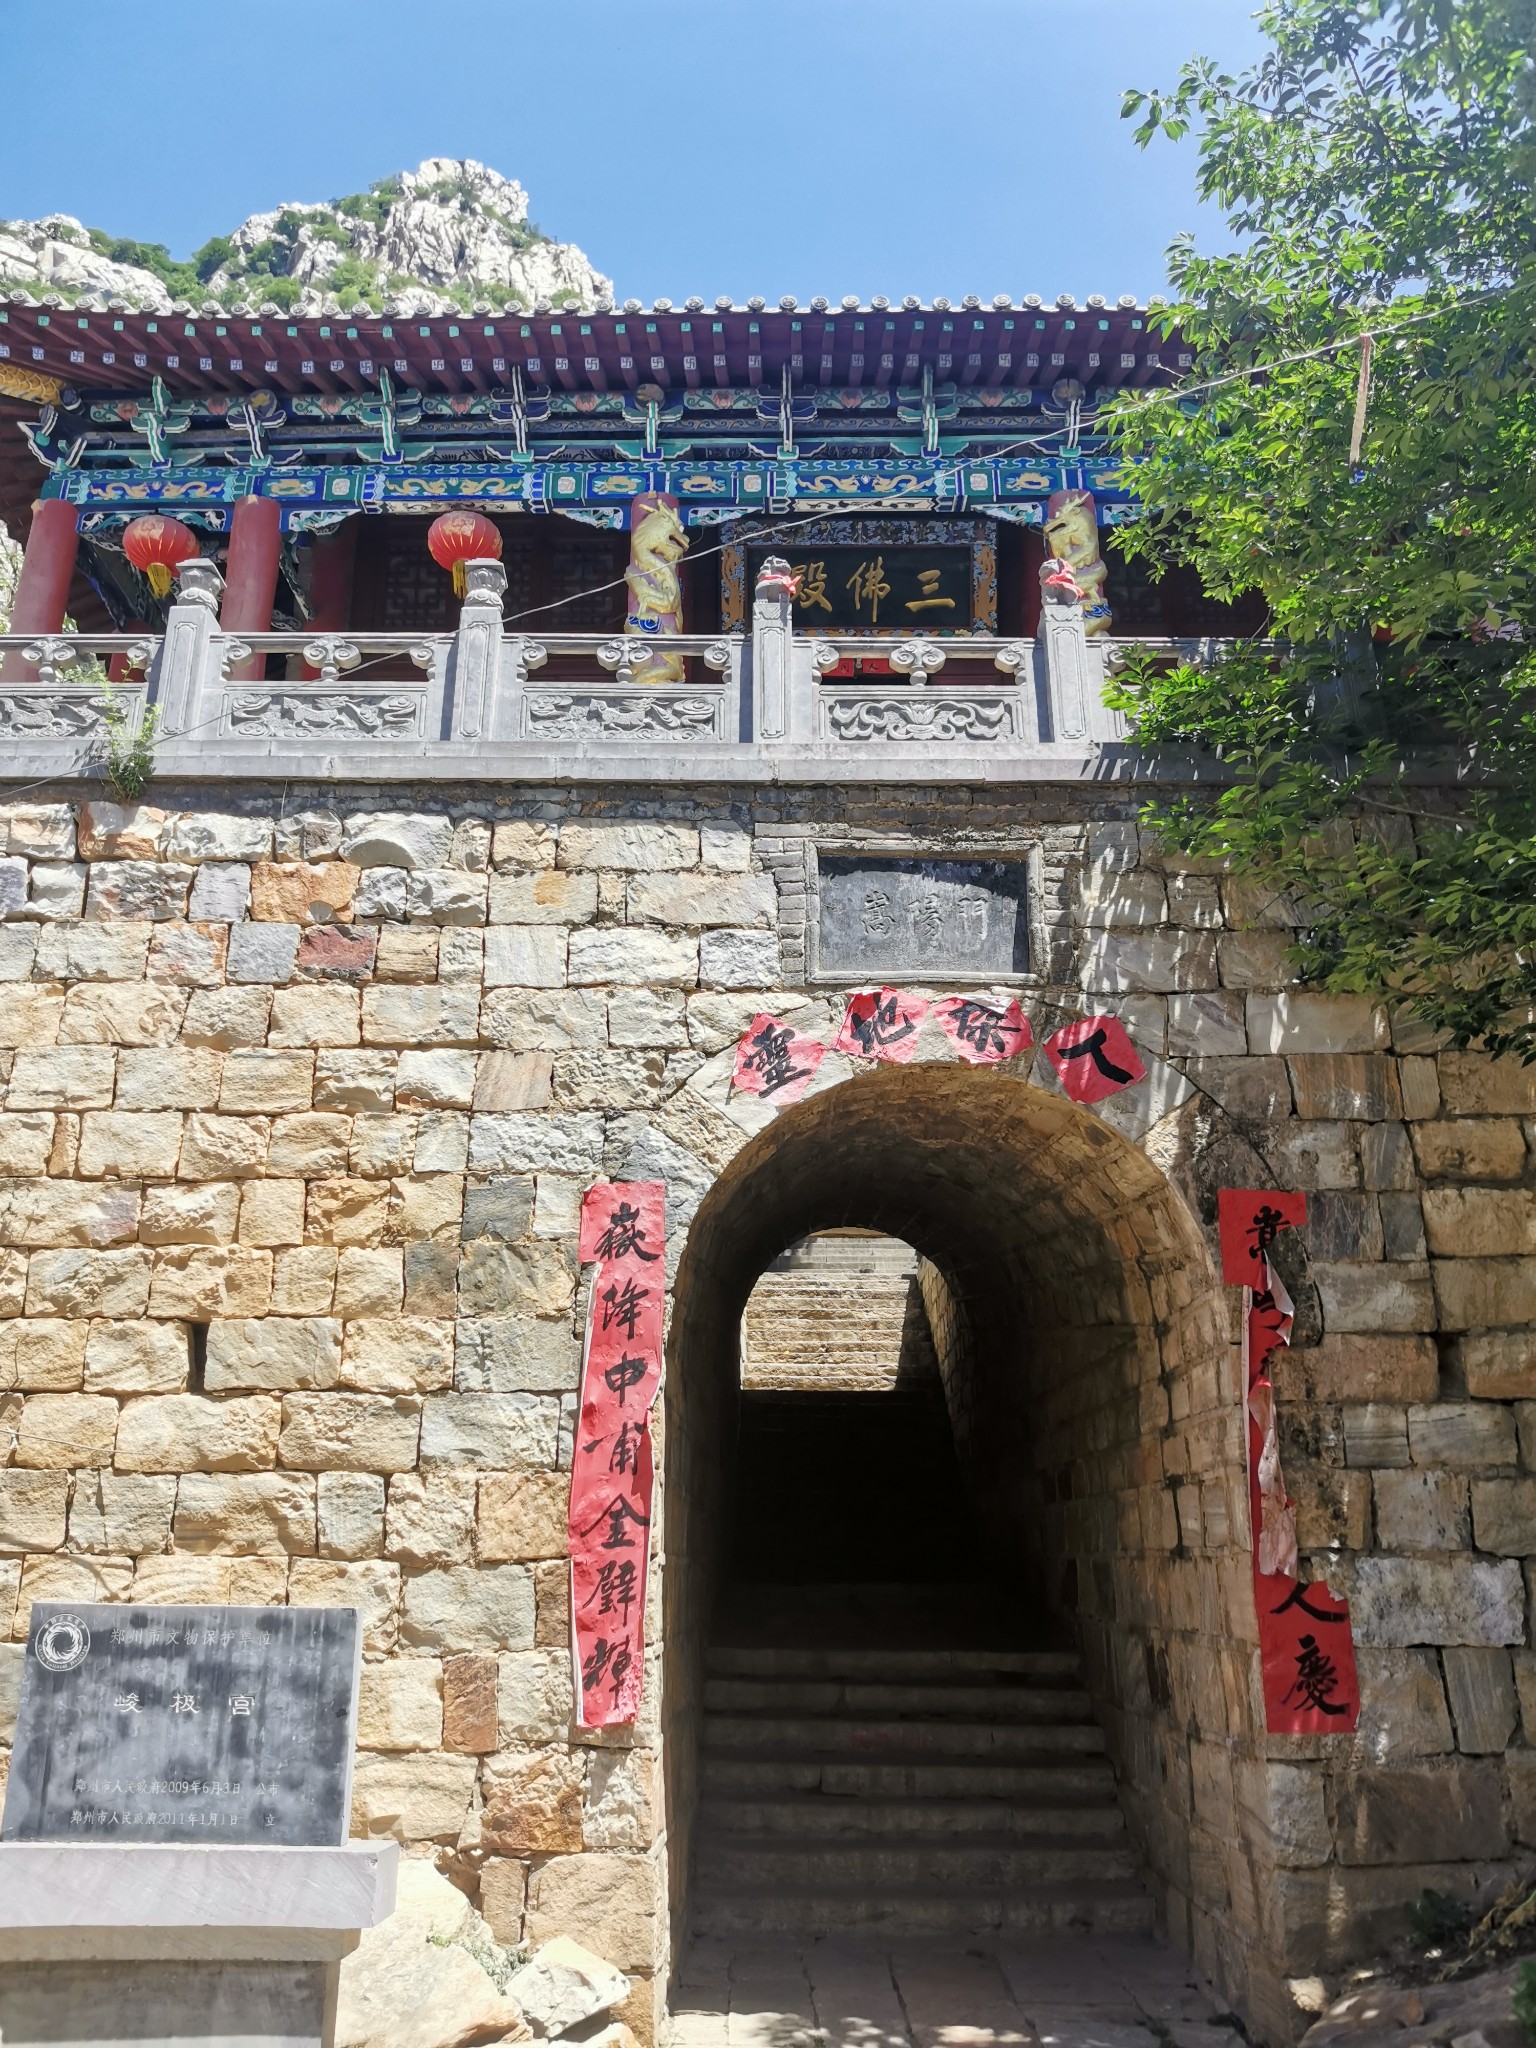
x=916 y=450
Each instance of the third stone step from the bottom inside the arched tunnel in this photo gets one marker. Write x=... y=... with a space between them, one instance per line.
x=802 y=1816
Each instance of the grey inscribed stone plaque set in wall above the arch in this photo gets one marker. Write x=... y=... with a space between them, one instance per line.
x=955 y=919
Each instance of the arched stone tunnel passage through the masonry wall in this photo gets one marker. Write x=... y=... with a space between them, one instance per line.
x=1091 y=1408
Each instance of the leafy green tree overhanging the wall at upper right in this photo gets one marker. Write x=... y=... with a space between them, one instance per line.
x=1377 y=171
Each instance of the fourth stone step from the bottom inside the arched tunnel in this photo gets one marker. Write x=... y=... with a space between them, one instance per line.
x=919 y=1779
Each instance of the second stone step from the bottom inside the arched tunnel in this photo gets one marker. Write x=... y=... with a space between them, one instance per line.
x=902 y=1863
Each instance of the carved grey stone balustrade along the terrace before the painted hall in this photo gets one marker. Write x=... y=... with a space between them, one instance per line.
x=495 y=699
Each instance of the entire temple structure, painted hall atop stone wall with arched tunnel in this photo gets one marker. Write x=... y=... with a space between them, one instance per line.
x=519 y=826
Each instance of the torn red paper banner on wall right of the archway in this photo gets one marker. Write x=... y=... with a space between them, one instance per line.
x=1306 y=1639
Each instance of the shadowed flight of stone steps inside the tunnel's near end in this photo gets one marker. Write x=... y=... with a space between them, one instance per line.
x=919 y=1791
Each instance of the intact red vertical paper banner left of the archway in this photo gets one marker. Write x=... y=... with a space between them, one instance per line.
x=613 y=1469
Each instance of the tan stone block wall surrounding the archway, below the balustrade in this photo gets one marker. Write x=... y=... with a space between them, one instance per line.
x=298 y=1099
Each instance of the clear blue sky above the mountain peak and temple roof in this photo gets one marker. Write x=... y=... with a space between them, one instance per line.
x=689 y=146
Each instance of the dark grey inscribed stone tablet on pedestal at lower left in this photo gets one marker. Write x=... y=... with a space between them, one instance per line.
x=212 y=1725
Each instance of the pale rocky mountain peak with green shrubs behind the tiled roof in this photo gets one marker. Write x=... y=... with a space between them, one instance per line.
x=445 y=237
